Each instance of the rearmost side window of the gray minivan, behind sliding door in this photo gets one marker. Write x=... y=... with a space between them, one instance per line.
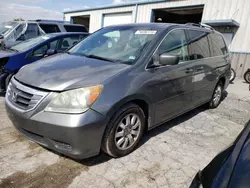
x=218 y=45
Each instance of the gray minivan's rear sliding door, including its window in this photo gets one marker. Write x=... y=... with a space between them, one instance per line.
x=199 y=53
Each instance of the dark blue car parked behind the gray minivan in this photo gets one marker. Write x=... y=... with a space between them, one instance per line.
x=14 y=58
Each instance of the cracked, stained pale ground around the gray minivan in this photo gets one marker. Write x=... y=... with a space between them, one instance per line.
x=169 y=155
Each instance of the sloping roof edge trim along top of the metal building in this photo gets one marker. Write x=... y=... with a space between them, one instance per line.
x=116 y=6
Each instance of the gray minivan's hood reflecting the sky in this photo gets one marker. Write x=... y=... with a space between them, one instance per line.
x=65 y=71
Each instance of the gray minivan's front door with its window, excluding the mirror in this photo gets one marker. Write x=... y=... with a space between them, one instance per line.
x=175 y=89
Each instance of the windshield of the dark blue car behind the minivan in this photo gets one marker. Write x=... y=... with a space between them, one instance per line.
x=26 y=45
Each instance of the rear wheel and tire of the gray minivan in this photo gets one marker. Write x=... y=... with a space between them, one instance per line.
x=217 y=96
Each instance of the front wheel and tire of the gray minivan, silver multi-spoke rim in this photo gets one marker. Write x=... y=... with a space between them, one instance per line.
x=119 y=125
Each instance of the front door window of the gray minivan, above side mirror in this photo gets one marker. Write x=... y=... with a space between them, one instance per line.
x=175 y=43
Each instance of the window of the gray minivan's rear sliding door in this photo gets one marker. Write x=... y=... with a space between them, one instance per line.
x=198 y=44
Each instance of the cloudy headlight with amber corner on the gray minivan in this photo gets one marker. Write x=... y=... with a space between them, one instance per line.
x=74 y=101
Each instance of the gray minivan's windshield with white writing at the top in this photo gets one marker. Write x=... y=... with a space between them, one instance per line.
x=117 y=44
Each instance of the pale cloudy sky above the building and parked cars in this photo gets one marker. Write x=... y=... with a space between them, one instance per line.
x=46 y=9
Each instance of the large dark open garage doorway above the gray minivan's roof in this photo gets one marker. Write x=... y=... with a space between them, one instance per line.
x=181 y=15
